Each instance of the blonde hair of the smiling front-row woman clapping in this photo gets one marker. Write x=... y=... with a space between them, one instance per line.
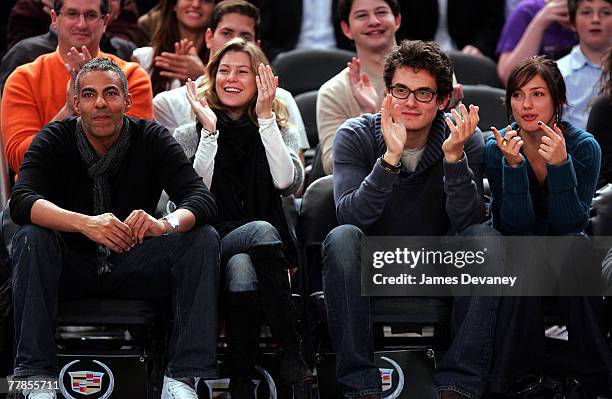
x=207 y=86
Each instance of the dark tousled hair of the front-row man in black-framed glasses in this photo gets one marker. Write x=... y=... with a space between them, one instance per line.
x=421 y=55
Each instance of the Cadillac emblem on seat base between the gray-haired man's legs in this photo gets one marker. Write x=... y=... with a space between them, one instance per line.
x=93 y=379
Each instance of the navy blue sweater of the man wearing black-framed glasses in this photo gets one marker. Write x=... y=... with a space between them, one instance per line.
x=437 y=198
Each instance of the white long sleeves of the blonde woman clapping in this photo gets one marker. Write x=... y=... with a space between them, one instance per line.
x=280 y=147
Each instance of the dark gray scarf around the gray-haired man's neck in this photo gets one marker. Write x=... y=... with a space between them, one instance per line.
x=99 y=169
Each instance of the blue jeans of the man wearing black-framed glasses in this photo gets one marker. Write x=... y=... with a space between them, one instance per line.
x=463 y=368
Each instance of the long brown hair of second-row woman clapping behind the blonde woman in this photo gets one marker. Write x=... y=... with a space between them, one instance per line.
x=165 y=35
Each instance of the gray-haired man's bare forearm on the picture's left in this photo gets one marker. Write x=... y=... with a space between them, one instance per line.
x=46 y=214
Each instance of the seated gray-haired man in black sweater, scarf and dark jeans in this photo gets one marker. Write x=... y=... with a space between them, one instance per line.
x=84 y=200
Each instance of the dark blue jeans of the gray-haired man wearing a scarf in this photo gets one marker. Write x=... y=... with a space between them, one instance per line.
x=181 y=267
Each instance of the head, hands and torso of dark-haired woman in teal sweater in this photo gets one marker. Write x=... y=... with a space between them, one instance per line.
x=542 y=171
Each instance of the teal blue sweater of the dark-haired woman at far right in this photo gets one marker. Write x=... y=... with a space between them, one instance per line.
x=558 y=207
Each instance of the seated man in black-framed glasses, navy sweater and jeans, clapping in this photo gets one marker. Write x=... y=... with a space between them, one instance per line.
x=407 y=171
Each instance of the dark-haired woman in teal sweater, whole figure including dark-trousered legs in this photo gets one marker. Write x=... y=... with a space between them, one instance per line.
x=543 y=171
